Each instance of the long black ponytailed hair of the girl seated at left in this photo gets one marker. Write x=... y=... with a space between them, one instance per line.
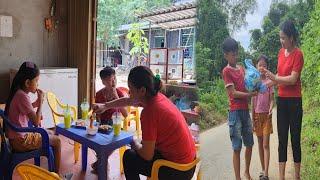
x=27 y=71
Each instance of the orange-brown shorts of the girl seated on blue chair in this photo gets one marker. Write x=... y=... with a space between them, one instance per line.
x=30 y=141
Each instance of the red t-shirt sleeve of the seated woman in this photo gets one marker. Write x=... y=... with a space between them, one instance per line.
x=148 y=127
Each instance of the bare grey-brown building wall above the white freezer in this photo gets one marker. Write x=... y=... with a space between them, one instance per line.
x=31 y=41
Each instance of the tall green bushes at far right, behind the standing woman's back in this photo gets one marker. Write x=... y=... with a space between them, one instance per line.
x=311 y=96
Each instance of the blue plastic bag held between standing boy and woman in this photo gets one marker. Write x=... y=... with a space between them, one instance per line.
x=252 y=78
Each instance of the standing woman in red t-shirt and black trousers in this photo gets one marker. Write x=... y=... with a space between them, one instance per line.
x=289 y=105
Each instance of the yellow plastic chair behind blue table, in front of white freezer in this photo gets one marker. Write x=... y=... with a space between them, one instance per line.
x=54 y=103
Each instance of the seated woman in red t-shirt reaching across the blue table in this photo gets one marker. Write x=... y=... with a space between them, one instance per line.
x=165 y=133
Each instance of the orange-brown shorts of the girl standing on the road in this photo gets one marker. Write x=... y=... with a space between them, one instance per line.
x=262 y=124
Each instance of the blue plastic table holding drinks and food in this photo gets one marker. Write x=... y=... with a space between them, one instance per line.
x=102 y=144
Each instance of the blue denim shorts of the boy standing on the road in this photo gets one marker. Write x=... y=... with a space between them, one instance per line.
x=240 y=129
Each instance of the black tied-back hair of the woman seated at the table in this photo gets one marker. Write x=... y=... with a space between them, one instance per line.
x=142 y=76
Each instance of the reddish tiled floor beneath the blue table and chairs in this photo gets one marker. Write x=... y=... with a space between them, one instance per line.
x=68 y=165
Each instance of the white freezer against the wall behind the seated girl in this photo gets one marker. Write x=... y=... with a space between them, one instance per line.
x=61 y=81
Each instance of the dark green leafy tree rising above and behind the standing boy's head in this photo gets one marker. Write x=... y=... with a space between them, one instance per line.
x=215 y=18
